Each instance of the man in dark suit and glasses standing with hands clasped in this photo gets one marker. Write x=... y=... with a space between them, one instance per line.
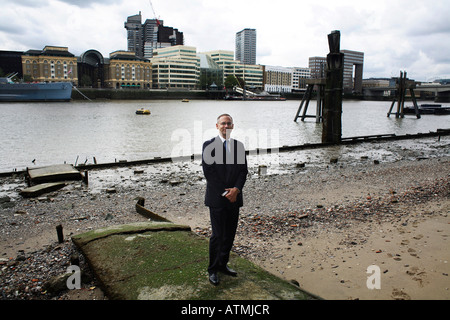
x=224 y=164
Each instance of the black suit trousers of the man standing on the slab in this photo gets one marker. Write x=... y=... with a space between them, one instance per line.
x=224 y=223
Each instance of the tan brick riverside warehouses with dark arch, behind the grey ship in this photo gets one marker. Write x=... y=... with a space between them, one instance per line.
x=56 y=64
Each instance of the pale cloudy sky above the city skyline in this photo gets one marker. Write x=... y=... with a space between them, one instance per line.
x=395 y=35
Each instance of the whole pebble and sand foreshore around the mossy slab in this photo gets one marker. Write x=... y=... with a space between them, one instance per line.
x=315 y=222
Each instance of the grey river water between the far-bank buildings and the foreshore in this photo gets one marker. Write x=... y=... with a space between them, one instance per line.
x=76 y=132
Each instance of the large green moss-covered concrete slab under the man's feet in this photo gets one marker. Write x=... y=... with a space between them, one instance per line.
x=165 y=261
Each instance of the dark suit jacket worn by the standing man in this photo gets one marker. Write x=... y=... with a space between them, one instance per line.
x=221 y=176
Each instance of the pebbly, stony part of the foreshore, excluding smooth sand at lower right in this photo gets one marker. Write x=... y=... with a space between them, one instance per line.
x=302 y=195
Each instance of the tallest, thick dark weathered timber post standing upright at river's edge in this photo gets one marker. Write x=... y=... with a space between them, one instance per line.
x=332 y=109
